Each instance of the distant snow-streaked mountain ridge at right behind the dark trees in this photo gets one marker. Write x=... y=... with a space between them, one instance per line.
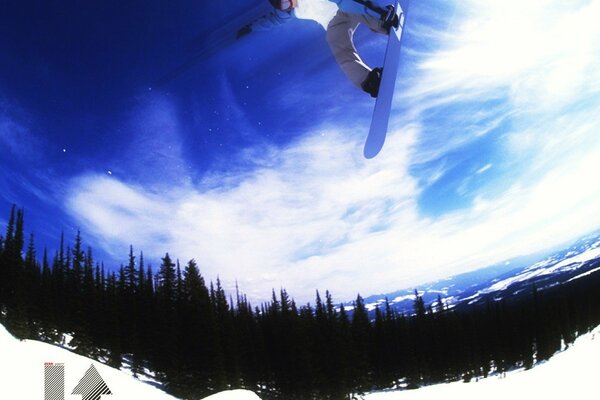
x=510 y=278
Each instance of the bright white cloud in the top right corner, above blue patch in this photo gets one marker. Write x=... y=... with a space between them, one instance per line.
x=544 y=51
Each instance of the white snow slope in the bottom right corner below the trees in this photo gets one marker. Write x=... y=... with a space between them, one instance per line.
x=571 y=372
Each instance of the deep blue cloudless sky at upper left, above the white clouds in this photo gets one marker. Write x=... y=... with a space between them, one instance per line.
x=77 y=75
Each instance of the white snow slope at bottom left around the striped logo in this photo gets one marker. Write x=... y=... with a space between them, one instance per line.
x=22 y=374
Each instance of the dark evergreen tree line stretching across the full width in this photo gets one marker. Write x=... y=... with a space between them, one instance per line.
x=200 y=340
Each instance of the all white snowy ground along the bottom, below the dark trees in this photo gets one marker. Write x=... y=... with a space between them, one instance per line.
x=572 y=372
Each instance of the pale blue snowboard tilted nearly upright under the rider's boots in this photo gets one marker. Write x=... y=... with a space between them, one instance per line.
x=383 y=102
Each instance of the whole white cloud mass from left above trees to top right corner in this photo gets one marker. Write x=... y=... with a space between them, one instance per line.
x=316 y=215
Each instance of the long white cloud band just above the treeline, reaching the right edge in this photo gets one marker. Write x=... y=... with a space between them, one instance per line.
x=321 y=218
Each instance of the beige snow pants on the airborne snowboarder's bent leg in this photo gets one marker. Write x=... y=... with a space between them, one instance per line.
x=340 y=32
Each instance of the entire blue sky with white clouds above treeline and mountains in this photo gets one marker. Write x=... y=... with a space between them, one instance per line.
x=250 y=160
